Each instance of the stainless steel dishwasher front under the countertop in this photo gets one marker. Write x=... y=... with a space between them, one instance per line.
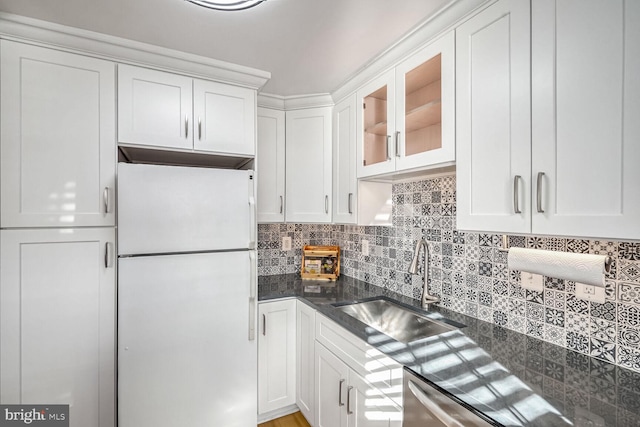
x=424 y=406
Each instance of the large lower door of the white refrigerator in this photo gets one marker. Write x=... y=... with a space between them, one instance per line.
x=185 y=357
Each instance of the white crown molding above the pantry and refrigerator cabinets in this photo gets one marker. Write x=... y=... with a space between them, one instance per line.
x=35 y=31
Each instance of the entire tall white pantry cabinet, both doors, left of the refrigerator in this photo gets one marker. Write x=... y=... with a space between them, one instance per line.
x=57 y=275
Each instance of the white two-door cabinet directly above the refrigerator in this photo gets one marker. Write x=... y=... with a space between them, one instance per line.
x=161 y=109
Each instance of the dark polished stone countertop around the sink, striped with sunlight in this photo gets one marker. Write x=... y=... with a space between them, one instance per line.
x=514 y=379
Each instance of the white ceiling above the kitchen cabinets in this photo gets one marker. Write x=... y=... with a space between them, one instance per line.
x=308 y=46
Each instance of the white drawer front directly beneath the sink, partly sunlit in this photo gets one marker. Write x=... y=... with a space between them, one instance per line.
x=380 y=370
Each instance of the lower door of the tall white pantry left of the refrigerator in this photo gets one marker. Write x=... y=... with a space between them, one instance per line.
x=57 y=305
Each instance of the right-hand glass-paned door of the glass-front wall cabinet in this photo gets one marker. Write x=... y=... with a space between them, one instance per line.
x=425 y=106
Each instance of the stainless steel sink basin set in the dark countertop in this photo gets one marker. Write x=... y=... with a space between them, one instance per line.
x=400 y=323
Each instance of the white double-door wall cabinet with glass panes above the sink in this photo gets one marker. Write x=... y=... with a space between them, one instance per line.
x=407 y=116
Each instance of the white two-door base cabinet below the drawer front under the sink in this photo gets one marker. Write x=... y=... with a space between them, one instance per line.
x=344 y=398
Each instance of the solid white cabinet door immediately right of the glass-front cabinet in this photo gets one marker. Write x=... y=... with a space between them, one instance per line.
x=493 y=119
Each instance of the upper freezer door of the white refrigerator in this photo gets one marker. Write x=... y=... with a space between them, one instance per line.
x=173 y=209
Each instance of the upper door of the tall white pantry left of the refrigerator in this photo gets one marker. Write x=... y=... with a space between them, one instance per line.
x=58 y=138
